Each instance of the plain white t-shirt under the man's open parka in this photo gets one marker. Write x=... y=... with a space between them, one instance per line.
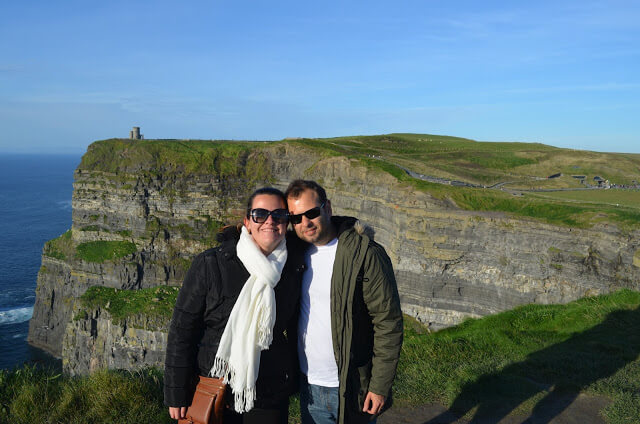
x=315 y=344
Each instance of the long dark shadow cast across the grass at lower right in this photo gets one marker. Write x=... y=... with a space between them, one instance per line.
x=552 y=377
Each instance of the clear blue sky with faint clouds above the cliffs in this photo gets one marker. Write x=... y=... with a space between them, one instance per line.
x=565 y=73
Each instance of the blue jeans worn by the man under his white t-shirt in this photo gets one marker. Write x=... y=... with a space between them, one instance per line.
x=319 y=404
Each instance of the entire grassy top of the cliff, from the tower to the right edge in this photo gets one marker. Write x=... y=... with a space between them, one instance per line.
x=514 y=166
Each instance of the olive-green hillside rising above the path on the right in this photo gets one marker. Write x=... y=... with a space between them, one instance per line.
x=489 y=162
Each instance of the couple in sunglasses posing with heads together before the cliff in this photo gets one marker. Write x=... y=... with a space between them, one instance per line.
x=245 y=308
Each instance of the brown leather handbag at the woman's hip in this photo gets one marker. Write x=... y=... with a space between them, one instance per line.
x=207 y=405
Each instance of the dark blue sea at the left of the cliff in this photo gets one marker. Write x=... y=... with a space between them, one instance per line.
x=35 y=206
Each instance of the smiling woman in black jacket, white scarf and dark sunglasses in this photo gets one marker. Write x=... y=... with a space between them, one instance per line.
x=237 y=300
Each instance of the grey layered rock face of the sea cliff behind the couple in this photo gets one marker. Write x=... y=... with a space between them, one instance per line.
x=450 y=264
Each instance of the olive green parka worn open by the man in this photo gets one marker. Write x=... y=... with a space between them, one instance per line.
x=366 y=319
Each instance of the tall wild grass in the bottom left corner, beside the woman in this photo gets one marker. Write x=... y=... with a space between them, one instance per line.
x=29 y=395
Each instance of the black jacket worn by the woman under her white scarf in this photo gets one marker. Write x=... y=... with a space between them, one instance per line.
x=204 y=304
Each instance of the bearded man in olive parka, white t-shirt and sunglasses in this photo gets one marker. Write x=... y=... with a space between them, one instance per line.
x=350 y=328
